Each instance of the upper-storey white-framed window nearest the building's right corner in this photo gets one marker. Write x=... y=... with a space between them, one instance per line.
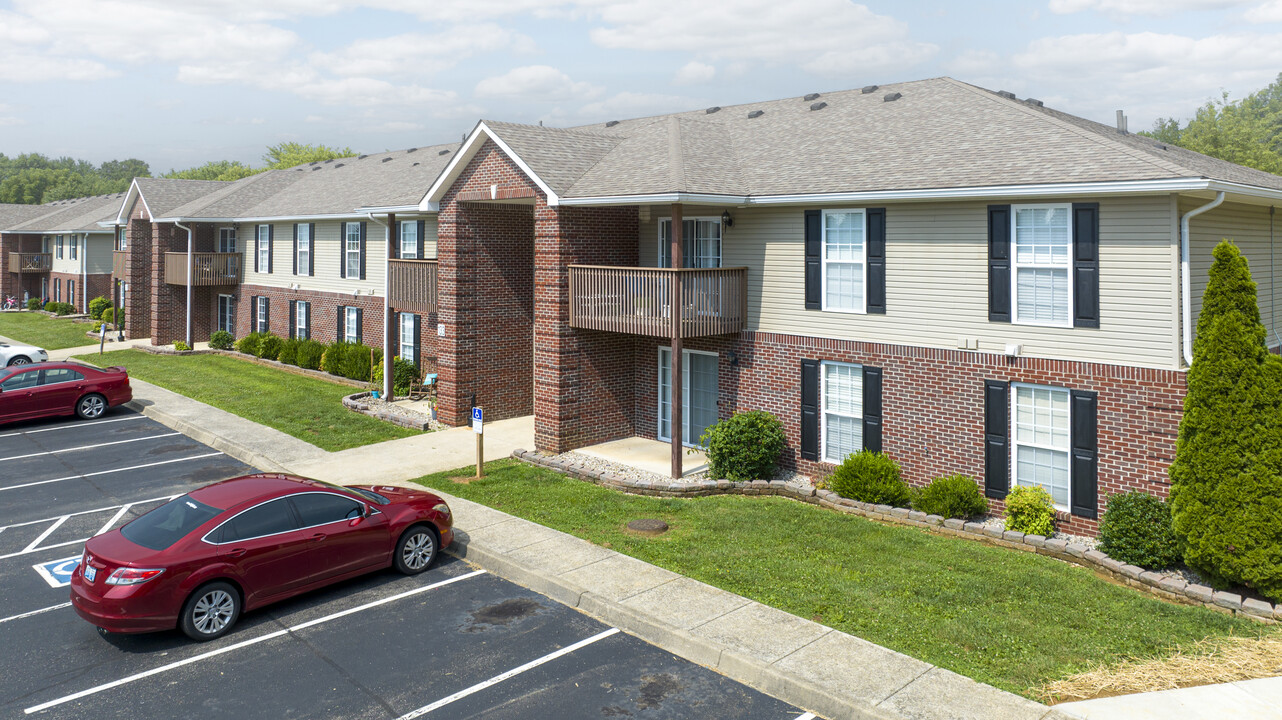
x=1043 y=289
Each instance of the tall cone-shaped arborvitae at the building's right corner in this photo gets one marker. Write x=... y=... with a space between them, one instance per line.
x=1226 y=493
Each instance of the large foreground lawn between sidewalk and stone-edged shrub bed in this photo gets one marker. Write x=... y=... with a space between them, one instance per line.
x=1011 y=619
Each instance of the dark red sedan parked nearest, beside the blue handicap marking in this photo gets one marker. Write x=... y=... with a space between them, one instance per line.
x=201 y=560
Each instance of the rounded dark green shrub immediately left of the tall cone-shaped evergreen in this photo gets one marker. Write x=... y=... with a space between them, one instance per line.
x=1136 y=530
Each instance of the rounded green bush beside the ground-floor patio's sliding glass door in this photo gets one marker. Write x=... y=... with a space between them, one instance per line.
x=745 y=446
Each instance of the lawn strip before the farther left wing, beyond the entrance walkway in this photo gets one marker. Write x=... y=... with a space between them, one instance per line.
x=310 y=409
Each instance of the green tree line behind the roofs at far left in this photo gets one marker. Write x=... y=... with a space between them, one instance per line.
x=33 y=179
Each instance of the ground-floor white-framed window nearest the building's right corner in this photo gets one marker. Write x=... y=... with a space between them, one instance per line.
x=1040 y=439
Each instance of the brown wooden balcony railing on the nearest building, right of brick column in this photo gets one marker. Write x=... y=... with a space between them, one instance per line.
x=639 y=300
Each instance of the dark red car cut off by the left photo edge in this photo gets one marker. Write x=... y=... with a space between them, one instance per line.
x=61 y=389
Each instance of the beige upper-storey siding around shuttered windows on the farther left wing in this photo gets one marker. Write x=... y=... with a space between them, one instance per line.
x=326 y=248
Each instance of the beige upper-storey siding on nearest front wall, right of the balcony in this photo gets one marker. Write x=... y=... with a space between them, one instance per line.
x=938 y=281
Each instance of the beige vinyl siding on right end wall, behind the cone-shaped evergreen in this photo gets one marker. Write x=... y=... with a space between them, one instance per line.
x=1251 y=229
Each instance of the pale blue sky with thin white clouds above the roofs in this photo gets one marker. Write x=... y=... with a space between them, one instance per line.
x=181 y=83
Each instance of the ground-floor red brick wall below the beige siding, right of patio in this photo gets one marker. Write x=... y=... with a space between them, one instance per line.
x=933 y=404
